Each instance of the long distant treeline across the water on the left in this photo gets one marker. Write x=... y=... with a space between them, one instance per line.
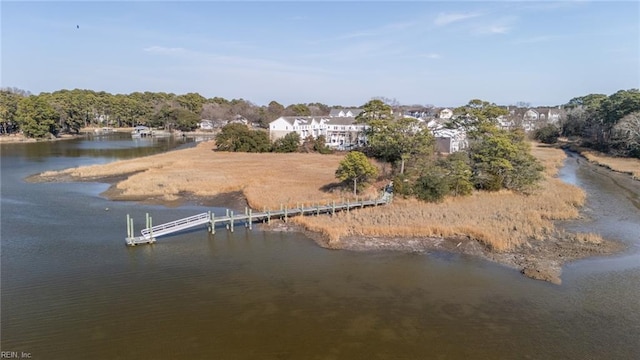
x=67 y=111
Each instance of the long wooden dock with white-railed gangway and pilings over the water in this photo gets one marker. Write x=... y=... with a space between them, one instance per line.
x=150 y=233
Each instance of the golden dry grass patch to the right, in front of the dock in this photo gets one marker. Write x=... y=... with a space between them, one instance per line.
x=501 y=220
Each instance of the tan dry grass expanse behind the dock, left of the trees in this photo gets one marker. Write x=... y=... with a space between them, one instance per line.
x=267 y=180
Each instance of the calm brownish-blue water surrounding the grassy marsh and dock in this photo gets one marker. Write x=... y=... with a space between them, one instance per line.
x=71 y=289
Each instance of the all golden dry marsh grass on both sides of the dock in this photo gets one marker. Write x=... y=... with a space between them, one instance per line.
x=501 y=220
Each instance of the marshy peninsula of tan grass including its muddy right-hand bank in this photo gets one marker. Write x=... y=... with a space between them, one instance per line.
x=509 y=228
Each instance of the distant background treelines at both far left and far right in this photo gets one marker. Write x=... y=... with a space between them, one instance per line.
x=606 y=123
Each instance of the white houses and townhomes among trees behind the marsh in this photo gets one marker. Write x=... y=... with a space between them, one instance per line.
x=343 y=133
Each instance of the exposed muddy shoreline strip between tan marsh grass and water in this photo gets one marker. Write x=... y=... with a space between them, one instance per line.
x=540 y=260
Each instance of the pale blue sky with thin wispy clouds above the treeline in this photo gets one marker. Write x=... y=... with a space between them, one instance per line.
x=337 y=53
